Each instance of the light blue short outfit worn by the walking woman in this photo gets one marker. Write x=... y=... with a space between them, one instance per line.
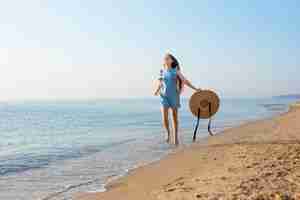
x=169 y=95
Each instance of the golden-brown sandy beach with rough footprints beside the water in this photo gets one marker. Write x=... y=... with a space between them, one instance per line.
x=259 y=160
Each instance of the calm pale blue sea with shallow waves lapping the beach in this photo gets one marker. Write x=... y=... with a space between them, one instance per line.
x=52 y=150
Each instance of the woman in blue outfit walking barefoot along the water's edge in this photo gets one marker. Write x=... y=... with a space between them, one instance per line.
x=169 y=87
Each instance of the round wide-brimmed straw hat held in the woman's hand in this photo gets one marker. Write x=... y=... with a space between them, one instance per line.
x=201 y=100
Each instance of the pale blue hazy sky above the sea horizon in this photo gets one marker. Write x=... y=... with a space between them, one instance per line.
x=85 y=49
